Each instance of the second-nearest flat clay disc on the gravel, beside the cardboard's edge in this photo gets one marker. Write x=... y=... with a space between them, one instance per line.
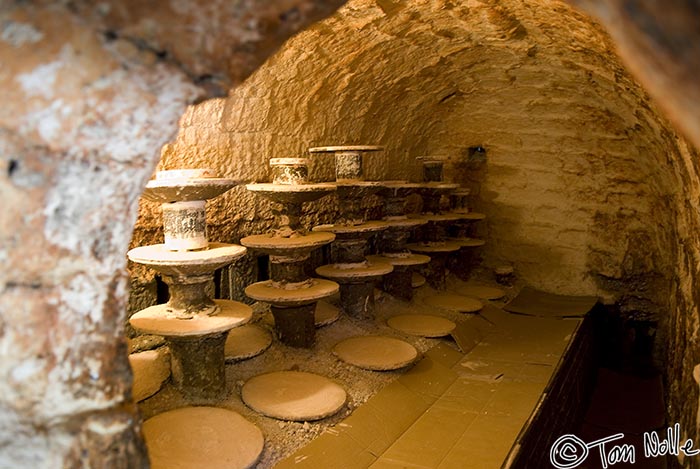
x=293 y=395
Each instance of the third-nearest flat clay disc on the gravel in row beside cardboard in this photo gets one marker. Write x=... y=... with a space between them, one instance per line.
x=376 y=352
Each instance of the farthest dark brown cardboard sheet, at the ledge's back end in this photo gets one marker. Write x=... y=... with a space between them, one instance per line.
x=533 y=302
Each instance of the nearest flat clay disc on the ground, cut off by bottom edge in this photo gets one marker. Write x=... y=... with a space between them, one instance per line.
x=196 y=437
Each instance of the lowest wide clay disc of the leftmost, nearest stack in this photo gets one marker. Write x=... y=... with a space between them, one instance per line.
x=157 y=320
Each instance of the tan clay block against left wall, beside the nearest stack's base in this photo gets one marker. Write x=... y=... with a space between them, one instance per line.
x=150 y=368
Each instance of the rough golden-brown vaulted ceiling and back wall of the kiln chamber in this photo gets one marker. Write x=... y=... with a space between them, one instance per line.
x=571 y=186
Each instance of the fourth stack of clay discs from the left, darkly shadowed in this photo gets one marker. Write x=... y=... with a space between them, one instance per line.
x=393 y=240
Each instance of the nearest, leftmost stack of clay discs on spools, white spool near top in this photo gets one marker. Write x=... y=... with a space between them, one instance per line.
x=194 y=325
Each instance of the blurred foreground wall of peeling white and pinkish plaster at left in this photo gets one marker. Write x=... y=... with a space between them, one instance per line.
x=87 y=105
